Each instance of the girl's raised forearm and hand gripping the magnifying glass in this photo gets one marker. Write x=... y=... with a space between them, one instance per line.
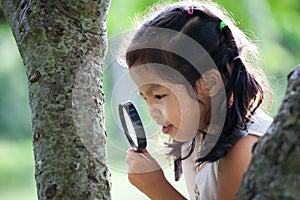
x=145 y=174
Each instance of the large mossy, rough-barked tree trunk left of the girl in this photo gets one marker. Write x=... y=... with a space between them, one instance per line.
x=63 y=44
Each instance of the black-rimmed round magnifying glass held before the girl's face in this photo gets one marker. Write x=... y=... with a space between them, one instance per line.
x=133 y=127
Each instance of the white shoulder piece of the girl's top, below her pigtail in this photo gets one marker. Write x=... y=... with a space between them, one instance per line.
x=259 y=123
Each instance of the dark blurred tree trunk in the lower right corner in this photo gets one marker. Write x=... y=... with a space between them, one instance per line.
x=274 y=172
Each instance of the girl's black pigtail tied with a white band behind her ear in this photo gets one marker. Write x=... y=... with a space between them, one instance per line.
x=241 y=83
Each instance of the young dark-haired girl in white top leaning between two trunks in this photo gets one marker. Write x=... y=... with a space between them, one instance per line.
x=194 y=69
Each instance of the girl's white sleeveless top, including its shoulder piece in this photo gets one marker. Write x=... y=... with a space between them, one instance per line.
x=202 y=184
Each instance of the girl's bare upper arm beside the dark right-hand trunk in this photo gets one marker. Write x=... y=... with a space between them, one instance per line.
x=233 y=166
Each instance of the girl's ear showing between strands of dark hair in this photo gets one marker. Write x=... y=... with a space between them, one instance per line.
x=209 y=84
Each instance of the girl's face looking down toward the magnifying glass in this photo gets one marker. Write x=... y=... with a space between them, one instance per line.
x=170 y=105
